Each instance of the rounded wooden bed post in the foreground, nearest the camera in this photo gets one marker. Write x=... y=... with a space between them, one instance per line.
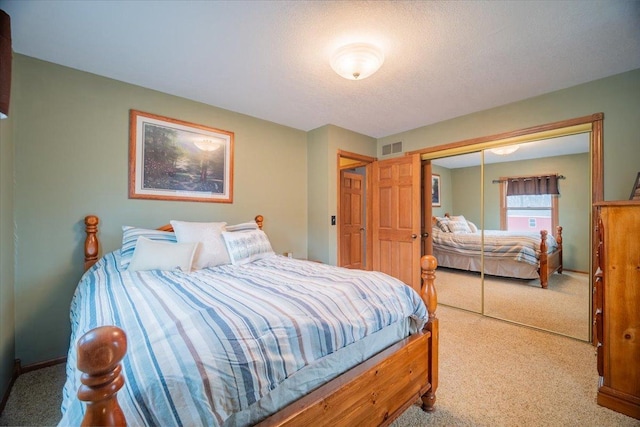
x=99 y=354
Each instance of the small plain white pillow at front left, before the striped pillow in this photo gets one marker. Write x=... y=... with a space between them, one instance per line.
x=154 y=255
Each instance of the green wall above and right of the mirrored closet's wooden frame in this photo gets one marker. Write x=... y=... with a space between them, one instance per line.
x=616 y=97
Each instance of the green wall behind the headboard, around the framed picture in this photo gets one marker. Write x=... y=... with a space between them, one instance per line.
x=70 y=133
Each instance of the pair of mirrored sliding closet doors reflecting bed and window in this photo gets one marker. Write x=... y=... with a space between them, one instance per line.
x=498 y=278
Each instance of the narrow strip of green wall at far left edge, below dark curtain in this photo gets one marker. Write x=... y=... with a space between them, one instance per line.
x=7 y=256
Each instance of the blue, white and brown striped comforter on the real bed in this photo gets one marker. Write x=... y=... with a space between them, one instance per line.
x=207 y=344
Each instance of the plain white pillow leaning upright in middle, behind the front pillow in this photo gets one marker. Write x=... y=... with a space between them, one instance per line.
x=211 y=249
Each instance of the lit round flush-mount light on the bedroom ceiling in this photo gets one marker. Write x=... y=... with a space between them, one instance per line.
x=357 y=61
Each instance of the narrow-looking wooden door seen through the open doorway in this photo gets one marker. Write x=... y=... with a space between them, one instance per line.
x=351 y=220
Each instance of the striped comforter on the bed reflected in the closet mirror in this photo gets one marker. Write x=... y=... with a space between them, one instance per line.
x=519 y=246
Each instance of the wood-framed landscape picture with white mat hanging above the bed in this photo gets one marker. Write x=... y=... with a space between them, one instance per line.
x=171 y=159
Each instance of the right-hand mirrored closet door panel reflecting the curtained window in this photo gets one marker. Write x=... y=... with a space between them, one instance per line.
x=515 y=291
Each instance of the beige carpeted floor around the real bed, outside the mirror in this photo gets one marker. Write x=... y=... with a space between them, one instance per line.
x=492 y=373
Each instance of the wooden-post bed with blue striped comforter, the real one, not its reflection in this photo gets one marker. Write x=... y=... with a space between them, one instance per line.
x=259 y=343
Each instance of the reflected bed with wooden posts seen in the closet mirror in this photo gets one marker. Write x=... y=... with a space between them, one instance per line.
x=459 y=244
